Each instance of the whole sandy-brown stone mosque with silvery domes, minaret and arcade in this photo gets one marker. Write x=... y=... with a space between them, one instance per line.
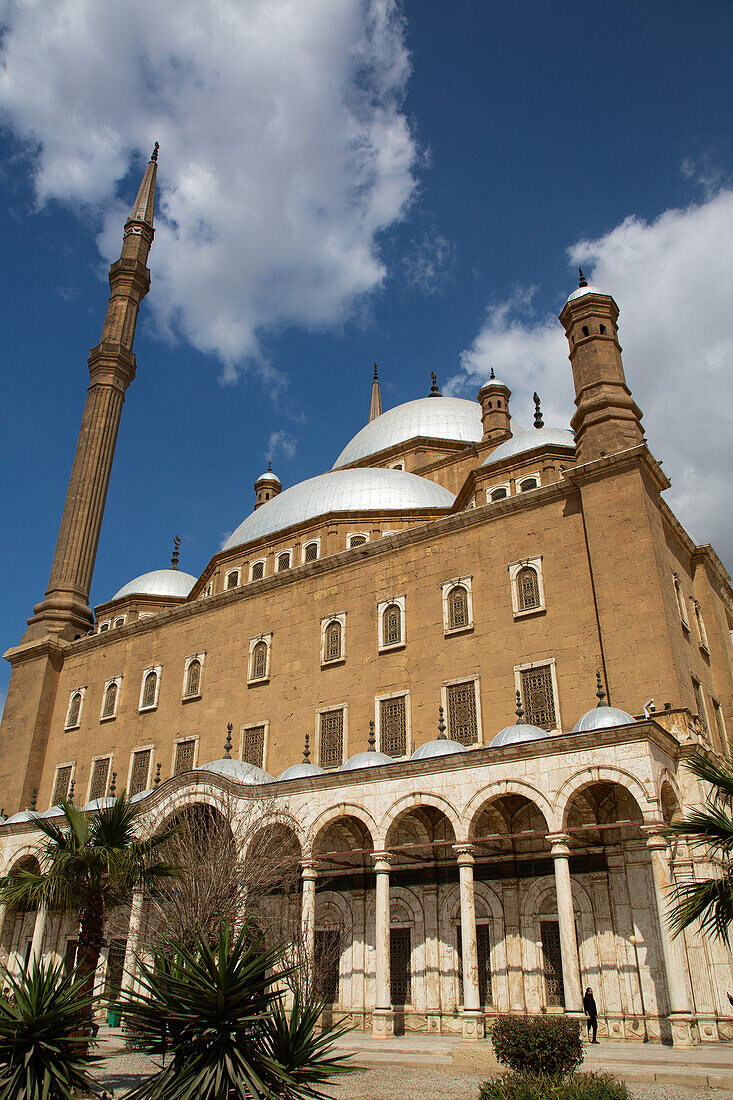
x=499 y=647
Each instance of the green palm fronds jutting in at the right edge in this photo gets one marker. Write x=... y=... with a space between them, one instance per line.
x=709 y=828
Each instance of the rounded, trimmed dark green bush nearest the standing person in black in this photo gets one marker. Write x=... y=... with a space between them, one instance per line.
x=540 y=1046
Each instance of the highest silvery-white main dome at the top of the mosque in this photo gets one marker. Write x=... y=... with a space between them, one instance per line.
x=435 y=417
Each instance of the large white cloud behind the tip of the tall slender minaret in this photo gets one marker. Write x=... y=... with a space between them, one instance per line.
x=285 y=151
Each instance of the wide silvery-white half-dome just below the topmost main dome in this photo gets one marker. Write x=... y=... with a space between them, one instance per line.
x=342 y=491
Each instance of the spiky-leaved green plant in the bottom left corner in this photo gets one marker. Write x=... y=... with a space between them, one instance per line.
x=41 y=1015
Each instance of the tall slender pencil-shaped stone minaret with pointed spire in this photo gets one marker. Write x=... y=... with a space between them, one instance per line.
x=65 y=610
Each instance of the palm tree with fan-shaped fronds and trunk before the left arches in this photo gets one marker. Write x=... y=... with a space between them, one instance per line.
x=90 y=865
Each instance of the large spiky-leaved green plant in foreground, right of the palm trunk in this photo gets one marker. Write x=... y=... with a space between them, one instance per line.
x=217 y=1010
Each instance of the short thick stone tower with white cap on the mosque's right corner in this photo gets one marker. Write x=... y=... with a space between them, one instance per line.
x=607 y=419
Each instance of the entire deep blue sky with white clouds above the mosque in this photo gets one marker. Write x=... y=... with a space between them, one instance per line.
x=498 y=146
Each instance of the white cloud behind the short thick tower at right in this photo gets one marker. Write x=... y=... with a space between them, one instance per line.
x=672 y=279
